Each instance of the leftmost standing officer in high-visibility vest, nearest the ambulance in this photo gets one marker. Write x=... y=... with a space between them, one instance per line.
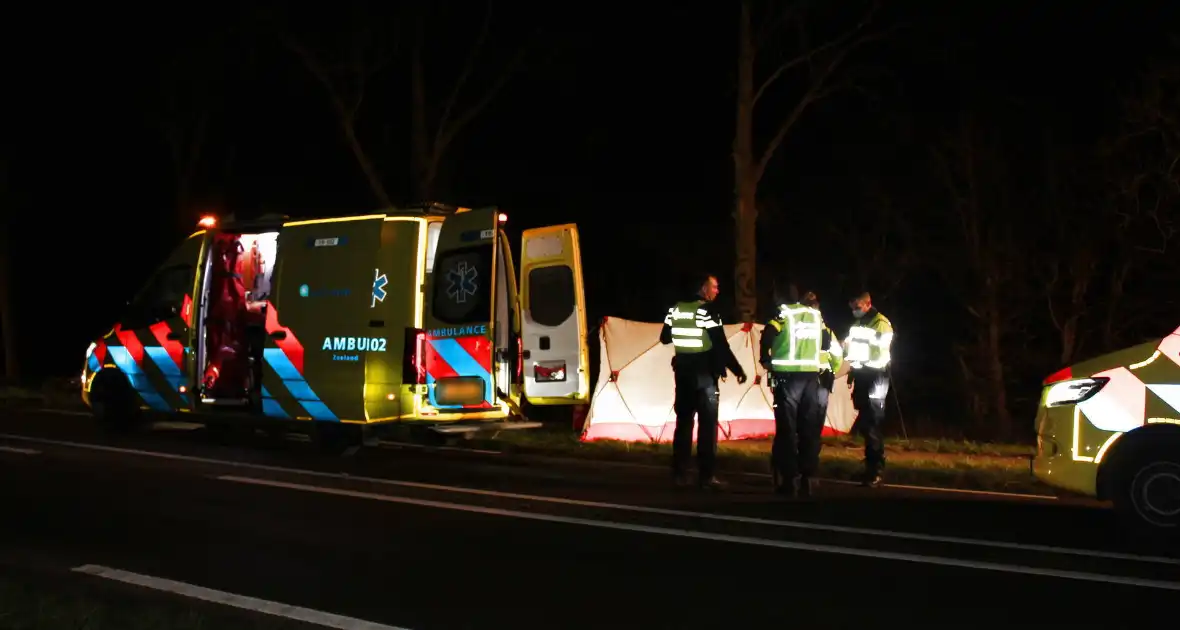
x=703 y=356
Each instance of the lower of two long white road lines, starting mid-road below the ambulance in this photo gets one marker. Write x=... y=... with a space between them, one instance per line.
x=725 y=539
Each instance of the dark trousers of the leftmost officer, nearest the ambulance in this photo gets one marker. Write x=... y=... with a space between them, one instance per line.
x=697 y=401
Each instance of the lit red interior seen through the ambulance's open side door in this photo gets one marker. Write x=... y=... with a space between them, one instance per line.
x=238 y=285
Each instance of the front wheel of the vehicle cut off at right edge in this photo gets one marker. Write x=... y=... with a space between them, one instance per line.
x=1146 y=489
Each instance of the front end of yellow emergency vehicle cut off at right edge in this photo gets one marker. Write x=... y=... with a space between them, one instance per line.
x=1110 y=429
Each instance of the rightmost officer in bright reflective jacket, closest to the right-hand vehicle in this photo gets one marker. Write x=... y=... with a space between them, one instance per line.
x=868 y=352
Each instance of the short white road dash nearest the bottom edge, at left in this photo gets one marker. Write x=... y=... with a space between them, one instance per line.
x=307 y=615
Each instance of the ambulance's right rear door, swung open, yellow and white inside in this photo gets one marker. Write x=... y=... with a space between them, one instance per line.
x=554 y=318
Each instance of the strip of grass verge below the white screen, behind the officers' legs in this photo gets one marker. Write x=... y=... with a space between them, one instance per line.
x=925 y=463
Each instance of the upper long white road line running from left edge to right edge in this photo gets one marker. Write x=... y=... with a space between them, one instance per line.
x=625 y=508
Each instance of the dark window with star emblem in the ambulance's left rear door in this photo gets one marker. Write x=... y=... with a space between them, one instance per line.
x=463 y=286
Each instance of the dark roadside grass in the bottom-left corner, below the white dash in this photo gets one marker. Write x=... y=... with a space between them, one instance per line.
x=42 y=605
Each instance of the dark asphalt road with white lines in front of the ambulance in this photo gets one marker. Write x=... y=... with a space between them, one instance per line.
x=427 y=540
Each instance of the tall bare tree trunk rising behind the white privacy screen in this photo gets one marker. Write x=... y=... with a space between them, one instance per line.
x=745 y=179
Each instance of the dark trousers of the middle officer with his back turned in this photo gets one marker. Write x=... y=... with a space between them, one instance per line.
x=796 y=449
